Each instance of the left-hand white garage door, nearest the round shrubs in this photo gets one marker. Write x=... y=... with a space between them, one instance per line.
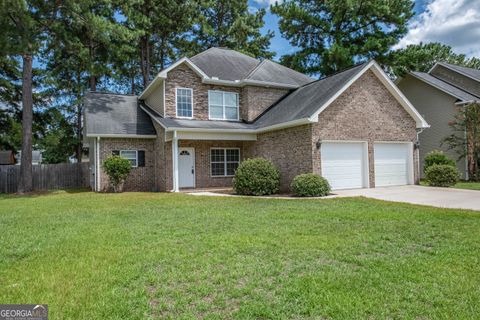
x=343 y=164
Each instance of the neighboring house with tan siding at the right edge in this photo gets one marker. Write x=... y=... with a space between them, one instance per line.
x=437 y=95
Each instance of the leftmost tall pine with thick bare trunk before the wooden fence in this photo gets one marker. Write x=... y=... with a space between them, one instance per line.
x=24 y=24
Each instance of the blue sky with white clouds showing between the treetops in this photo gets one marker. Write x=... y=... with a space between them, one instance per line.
x=453 y=22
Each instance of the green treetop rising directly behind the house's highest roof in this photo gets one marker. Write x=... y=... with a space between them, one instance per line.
x=228 y=23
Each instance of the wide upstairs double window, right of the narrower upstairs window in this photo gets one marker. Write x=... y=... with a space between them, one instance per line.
x=223 y=105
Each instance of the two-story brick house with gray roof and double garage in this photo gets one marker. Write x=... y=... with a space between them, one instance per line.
x=200 y=117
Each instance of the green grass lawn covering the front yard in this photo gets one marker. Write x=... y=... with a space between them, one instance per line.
x=152 y=255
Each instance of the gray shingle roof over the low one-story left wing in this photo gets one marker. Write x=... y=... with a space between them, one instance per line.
x=107 y=113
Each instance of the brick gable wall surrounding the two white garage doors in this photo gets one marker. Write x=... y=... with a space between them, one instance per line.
x=368 y=112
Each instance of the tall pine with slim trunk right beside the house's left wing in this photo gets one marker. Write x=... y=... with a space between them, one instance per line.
x=79 y=57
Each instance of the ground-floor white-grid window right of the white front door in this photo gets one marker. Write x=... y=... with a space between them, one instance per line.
x=224 y=161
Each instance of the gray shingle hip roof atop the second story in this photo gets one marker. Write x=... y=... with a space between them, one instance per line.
x=226 y=64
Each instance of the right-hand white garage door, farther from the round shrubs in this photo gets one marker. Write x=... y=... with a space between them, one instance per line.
x=392 y=164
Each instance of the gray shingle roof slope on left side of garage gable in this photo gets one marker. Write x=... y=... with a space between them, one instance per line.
x=306 y=100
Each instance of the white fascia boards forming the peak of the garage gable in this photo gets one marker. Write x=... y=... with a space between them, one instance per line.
x=387 y=82
